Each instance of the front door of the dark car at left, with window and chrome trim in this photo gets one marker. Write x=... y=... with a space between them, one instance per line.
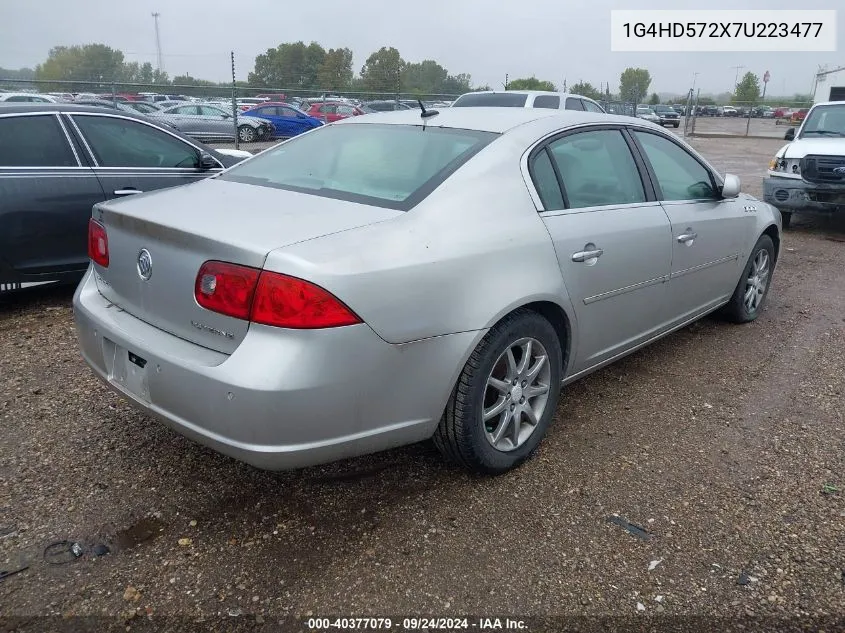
x=130 y=156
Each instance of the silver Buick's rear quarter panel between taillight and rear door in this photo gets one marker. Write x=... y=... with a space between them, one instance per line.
x=471 y=252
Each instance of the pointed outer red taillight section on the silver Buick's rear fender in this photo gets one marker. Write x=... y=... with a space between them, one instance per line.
x=289 y=302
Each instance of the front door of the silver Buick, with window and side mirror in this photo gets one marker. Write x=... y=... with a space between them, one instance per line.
x=708 y=232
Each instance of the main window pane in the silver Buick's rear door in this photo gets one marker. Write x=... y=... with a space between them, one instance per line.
x=597 y=169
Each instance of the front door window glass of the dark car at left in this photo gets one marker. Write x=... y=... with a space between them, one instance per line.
x=120 y=142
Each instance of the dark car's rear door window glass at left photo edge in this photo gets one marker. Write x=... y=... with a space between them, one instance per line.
x=34 y=141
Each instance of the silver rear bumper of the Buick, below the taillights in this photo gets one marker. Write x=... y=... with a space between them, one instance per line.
x=284 y=399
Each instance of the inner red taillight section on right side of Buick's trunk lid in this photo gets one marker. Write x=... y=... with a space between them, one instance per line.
x=226 y=288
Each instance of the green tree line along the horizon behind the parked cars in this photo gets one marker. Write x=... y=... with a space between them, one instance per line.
x=297 y=66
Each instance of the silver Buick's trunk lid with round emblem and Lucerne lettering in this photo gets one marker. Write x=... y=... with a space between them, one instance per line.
x=181 y=228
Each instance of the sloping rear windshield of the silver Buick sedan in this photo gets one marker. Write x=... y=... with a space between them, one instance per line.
x=393 y=166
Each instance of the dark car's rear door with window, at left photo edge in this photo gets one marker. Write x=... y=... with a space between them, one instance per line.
x=46 y=195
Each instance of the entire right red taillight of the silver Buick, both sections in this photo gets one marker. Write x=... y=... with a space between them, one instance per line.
x=268 y=298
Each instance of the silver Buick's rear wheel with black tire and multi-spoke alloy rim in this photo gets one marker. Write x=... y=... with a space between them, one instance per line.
x=463 y=436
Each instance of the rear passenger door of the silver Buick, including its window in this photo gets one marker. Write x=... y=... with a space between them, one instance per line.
x=613 y=244
